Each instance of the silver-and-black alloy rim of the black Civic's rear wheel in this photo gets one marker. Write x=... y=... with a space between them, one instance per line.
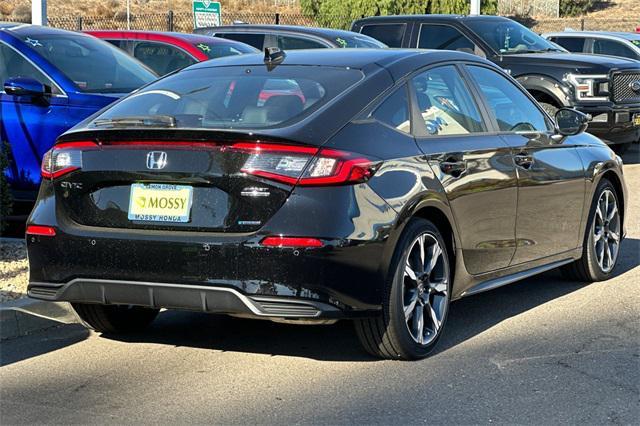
x=425 y=288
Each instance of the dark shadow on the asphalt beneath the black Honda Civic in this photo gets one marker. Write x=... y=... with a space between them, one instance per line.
x=468 y=318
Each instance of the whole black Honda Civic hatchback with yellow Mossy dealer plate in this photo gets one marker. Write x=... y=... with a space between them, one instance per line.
x=312 y=186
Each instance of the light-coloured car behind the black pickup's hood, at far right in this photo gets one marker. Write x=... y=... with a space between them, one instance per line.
x=626 y=45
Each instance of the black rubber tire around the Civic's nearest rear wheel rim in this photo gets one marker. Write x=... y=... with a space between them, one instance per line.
x=388 y=336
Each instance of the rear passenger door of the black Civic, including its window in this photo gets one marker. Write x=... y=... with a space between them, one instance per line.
x=474 y=165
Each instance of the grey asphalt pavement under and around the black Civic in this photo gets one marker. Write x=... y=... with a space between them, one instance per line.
x=540 y=351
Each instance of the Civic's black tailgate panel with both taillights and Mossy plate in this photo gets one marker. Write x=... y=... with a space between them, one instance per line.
x=220 y=185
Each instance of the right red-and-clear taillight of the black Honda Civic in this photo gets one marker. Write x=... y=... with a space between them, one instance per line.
x=305 y=166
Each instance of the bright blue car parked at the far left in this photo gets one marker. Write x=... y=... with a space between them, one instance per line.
x=50 y=80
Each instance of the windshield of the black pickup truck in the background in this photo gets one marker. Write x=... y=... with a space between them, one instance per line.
x=510 y=37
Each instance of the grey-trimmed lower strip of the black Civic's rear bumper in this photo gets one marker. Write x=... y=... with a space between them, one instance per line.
x=221 y=300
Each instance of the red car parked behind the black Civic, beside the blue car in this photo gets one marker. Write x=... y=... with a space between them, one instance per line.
x=165 y=52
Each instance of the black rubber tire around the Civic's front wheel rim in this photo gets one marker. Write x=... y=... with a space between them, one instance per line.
x=587 y=268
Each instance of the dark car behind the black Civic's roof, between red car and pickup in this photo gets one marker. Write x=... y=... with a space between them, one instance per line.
x=290 y=37
